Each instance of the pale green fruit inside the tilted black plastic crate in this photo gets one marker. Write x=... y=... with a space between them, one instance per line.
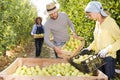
x=79 y=58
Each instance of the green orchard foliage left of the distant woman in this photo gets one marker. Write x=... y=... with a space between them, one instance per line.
x=16 y=20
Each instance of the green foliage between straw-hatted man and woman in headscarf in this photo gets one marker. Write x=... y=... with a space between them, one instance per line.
x=75 y=10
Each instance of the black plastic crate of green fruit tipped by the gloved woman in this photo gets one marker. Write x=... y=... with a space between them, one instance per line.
x=87 y=62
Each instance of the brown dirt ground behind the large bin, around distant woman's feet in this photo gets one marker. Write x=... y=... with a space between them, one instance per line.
x=28 y=52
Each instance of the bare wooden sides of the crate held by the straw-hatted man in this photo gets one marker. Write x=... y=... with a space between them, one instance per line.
x=69 y=54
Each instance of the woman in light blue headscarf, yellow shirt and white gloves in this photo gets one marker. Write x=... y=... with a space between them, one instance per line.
x=106 y=37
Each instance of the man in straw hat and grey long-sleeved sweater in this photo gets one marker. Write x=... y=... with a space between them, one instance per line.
x=57 y=25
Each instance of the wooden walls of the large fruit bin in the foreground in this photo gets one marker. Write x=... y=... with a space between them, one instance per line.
x=7 y=73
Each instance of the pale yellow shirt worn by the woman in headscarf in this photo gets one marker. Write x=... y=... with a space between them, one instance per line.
x=108 y=33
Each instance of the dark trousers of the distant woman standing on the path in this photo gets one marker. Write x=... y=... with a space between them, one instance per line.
x=38 y=46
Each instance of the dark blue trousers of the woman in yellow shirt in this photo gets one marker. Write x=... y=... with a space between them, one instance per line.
x=109 y=67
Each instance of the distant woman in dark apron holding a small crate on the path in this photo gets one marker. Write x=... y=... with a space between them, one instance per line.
x=37 y=32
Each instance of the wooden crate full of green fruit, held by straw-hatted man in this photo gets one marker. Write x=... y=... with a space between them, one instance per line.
x=73 y=46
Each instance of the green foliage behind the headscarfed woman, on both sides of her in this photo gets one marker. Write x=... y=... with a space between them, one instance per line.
x=83 y=26
